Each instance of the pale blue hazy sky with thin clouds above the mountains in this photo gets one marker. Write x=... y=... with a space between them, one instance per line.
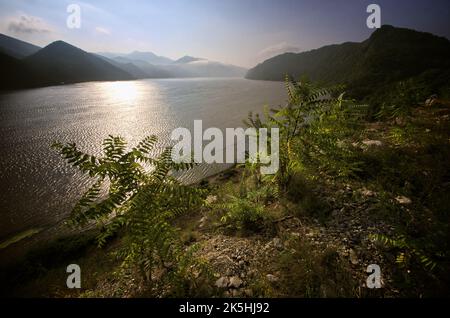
x=239 y=32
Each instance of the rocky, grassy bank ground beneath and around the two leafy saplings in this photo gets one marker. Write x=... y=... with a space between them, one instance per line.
x=315 y=239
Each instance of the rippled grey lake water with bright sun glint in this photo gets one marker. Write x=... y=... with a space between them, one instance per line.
x=39 y=189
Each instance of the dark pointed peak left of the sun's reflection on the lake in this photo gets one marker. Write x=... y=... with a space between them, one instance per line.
x=60 y=62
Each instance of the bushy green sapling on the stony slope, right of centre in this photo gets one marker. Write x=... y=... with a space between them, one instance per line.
x=315 y=128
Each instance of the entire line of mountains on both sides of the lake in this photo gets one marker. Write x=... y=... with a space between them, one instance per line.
x=369 y=68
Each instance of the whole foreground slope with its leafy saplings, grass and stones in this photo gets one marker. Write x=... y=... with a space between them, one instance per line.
x=349 y=193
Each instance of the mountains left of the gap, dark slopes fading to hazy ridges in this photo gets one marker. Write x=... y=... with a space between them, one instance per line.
x=28 y=65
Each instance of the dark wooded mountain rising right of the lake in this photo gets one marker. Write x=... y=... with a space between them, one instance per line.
x=389 y=55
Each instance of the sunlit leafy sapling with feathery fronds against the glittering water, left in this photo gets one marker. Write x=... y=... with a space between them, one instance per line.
x=142 y=197
